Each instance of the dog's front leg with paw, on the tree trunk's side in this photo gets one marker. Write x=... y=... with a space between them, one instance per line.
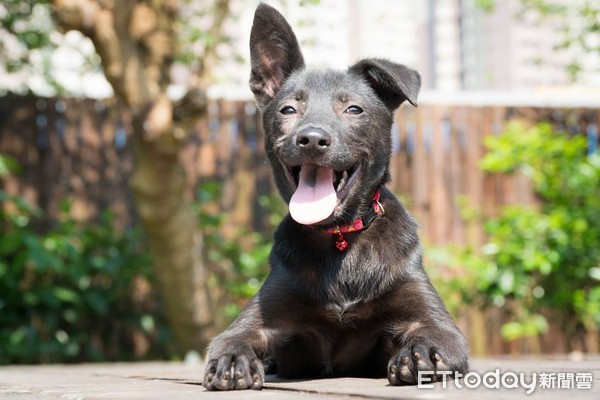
x=233 y=361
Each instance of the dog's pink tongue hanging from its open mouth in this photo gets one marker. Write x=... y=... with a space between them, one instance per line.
x=315 y=198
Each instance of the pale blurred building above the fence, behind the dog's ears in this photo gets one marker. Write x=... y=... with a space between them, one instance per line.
x=455 y=44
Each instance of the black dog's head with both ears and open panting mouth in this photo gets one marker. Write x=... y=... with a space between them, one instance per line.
x=327 y=132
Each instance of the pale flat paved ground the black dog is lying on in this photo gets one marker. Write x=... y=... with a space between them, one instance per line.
x=546 y=377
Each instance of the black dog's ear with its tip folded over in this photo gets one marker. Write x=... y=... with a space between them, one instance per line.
x=392 y=82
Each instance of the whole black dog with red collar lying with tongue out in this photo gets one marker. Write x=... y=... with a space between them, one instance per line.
x=347 y=294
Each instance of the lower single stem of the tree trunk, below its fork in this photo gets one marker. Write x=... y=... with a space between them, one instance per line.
x=175 y=243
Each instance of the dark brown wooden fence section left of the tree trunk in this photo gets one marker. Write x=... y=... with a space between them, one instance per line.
x=68 y=149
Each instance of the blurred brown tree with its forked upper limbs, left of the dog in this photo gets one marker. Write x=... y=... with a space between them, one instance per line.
x=136 y=41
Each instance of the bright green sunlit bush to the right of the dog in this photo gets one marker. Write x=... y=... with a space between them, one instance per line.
x=538 y=261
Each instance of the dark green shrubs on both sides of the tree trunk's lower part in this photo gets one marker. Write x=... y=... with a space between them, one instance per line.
x=85 y=292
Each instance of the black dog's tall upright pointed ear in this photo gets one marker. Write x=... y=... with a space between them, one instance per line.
x=274 y=53
